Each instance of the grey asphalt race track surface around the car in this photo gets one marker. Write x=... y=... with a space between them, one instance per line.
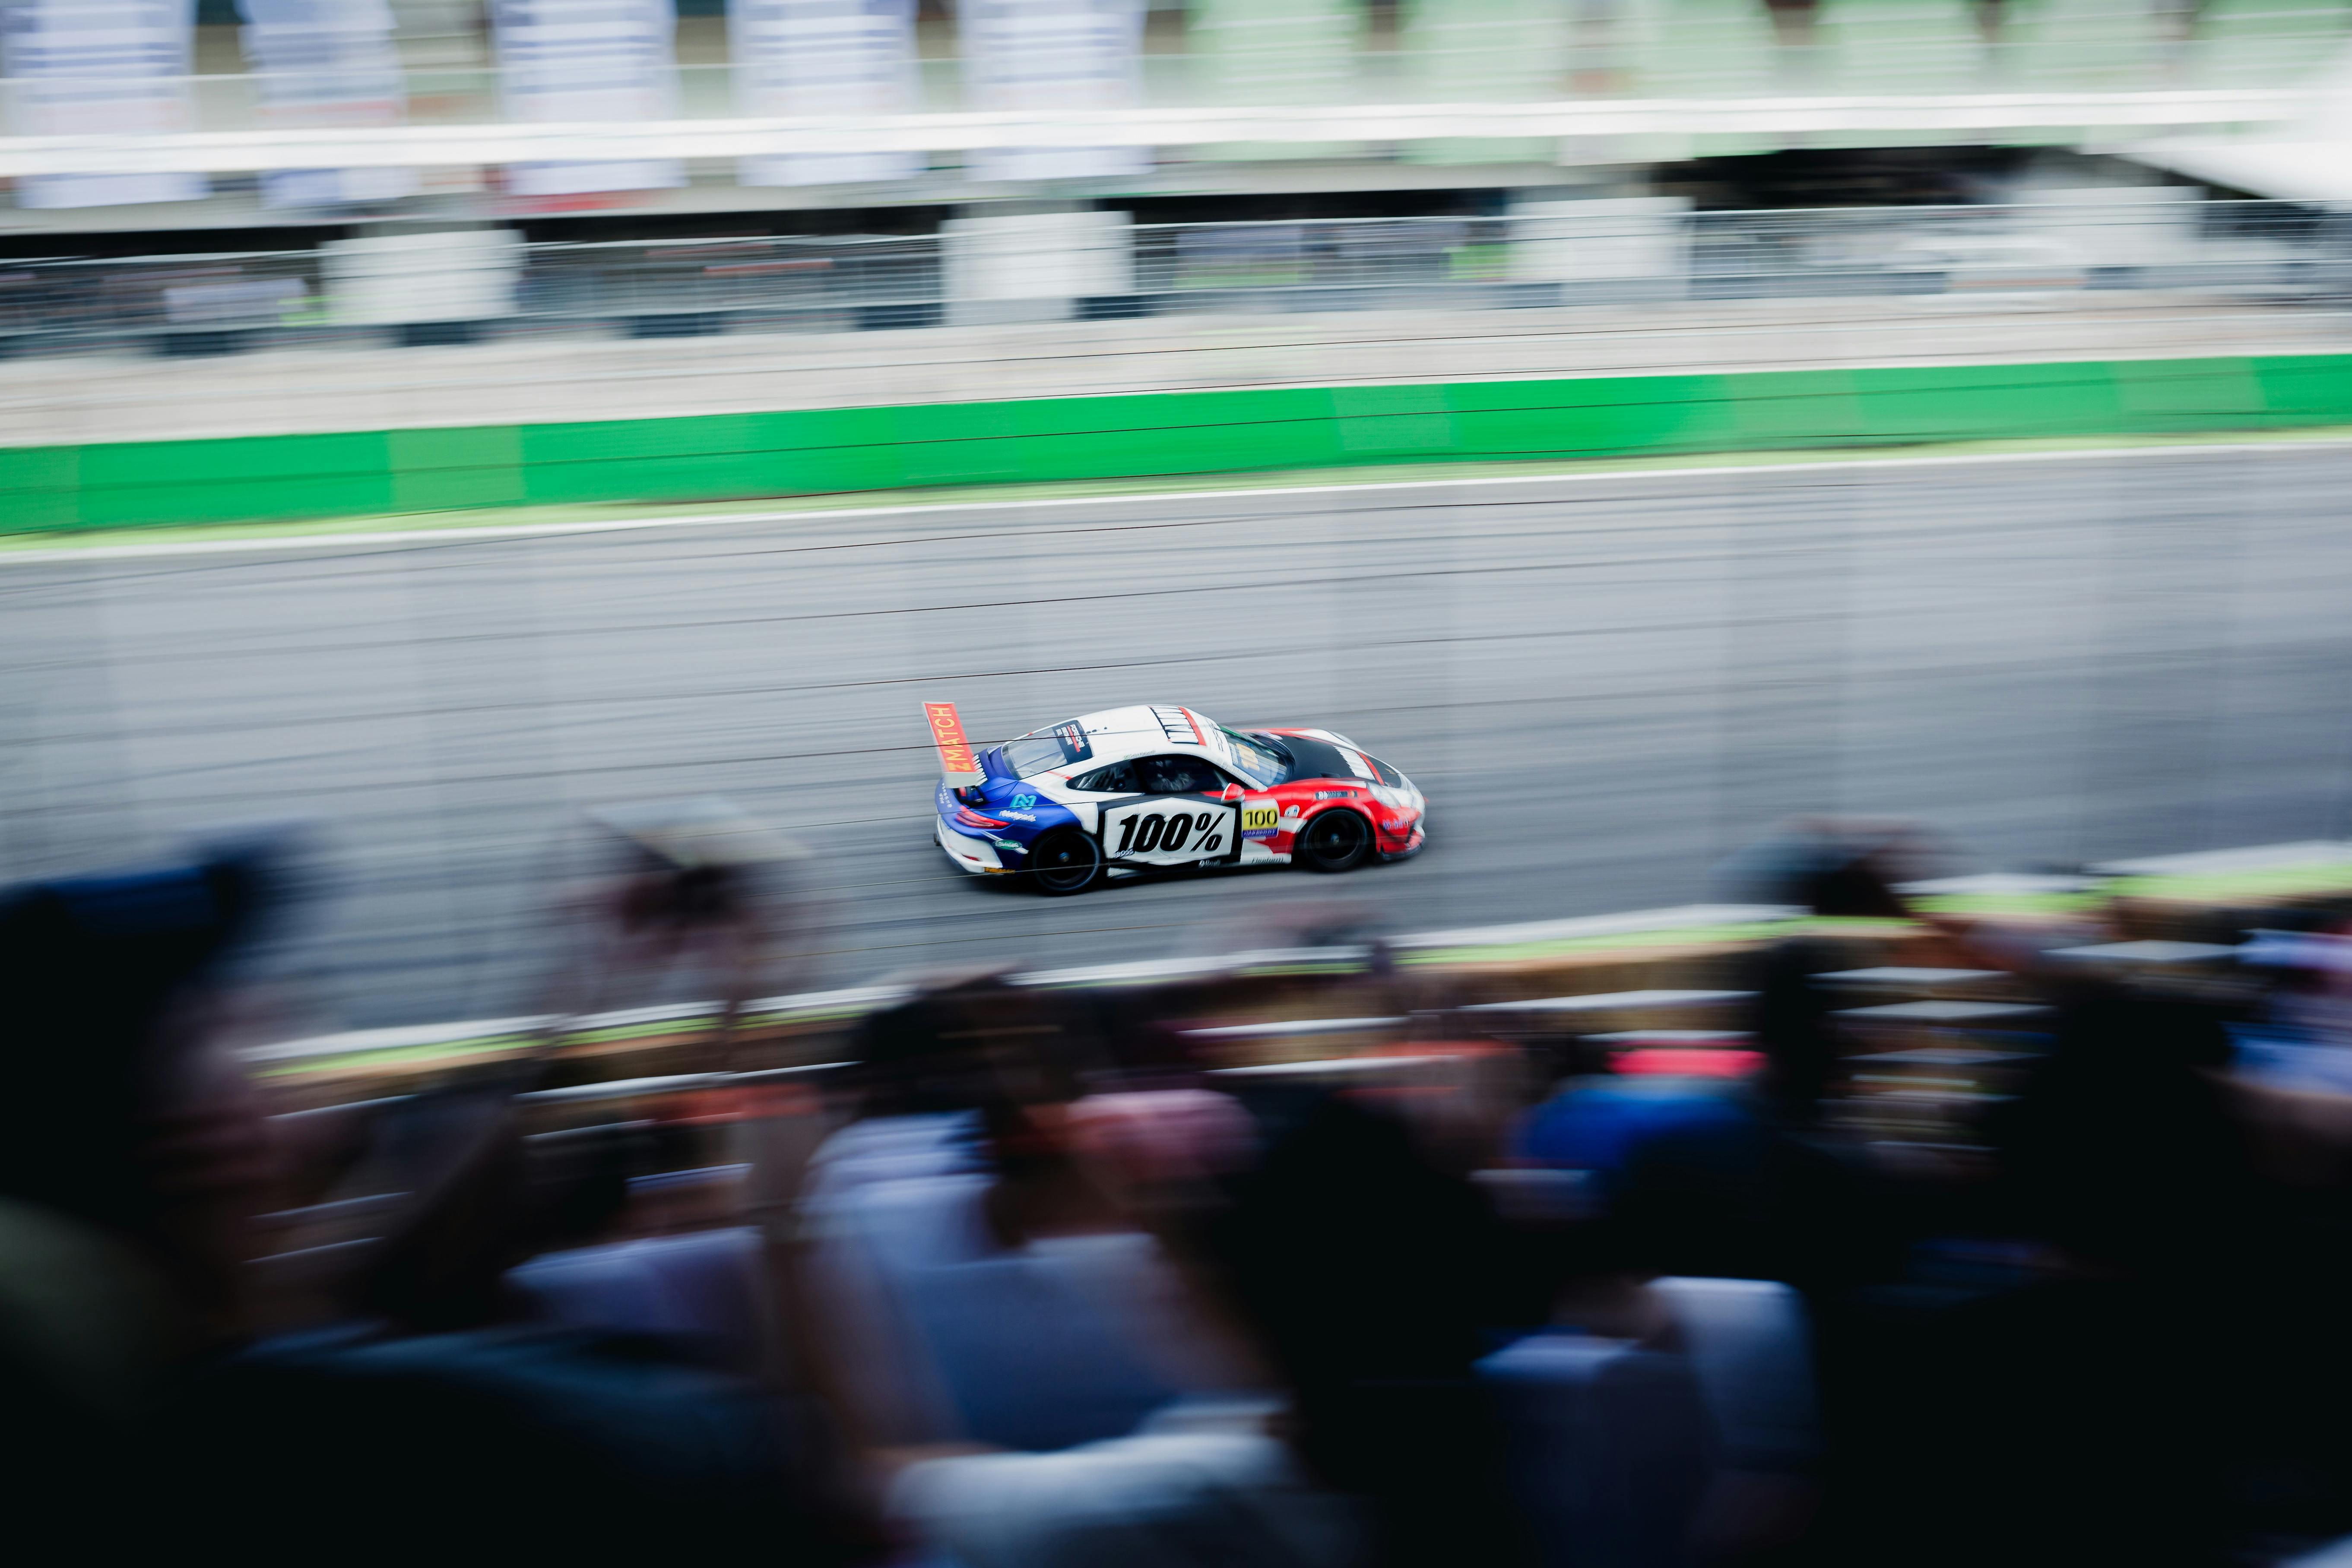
x=1603 y=683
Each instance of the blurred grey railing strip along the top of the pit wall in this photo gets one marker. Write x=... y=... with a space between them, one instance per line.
x=1622 y=253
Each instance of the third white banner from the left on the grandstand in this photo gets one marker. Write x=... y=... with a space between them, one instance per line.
x=589 y=60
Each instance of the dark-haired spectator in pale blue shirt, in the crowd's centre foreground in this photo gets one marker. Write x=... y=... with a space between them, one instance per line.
x=1038 y=1383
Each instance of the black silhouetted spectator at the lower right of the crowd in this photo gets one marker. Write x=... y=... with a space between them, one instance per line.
x=2090 y=1414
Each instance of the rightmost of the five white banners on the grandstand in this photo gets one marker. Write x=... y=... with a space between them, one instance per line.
x=1069 y=55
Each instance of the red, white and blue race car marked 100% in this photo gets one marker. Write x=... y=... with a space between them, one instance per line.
x=1149 y=789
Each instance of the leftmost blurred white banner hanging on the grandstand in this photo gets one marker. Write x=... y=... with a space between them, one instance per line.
x=100 y=67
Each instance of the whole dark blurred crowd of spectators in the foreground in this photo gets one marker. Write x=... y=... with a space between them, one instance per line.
x=1038 y=1282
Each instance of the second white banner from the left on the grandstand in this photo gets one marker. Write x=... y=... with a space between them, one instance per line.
x=328 y=62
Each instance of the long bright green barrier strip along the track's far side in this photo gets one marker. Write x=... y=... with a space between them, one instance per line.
x=719 y=457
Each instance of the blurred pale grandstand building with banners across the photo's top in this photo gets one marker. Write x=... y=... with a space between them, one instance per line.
x=436 y=116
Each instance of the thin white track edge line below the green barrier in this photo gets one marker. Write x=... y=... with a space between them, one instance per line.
x=716 y=521
